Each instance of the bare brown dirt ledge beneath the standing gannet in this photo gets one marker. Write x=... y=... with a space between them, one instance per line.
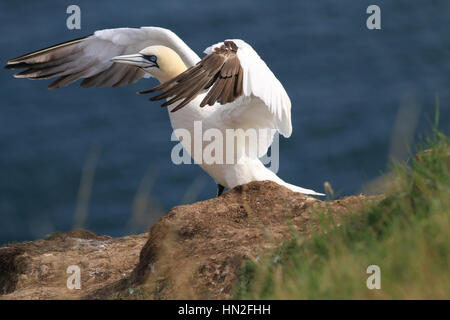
x=195 y=251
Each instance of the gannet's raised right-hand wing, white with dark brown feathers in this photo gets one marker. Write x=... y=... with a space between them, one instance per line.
x=234 y=75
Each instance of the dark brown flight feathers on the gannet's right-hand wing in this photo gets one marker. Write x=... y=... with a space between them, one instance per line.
x=220 y=72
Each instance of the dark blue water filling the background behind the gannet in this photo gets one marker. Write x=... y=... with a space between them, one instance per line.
x=346 y=84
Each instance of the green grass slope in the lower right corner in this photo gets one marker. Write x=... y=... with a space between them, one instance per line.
x=406 y=235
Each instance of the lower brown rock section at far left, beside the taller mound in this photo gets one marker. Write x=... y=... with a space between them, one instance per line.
x=37 y=270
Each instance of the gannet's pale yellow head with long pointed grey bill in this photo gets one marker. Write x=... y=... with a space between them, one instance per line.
x=161 y=62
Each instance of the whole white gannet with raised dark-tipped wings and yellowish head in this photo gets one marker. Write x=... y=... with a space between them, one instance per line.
x=229 y=88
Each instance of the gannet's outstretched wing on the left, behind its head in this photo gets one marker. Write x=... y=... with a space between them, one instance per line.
x=89 y=57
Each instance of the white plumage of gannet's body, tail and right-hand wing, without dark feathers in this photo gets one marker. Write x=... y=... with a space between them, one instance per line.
x=265 y=106
